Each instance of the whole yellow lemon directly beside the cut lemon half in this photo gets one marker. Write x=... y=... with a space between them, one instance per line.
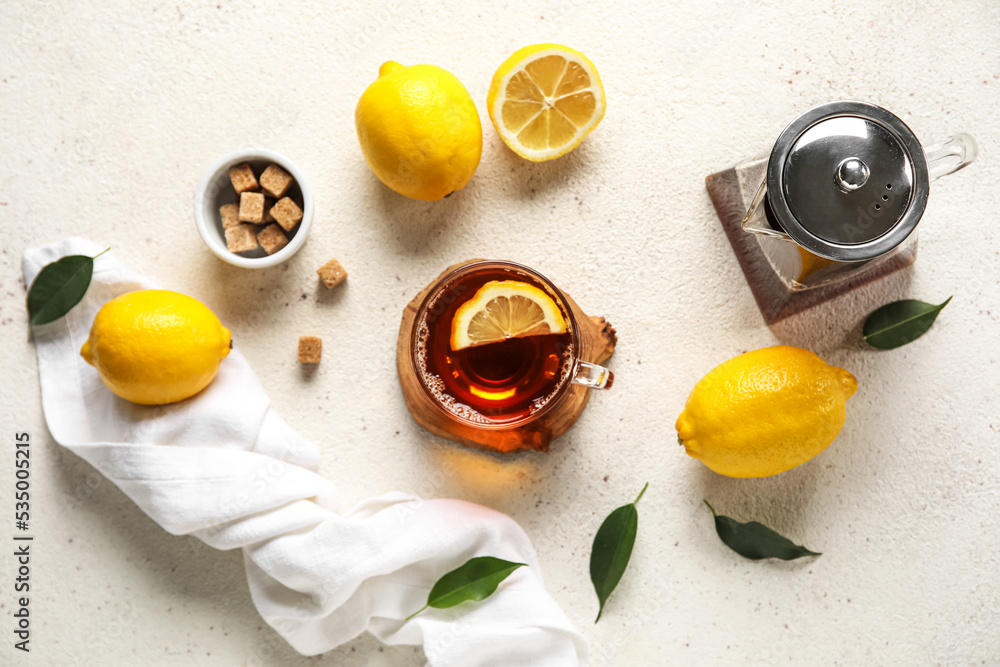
x=419 y=131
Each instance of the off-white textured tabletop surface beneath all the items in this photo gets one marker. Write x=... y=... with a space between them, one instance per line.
x=109 y=115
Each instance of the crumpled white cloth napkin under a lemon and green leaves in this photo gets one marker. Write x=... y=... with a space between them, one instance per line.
x=225 y=467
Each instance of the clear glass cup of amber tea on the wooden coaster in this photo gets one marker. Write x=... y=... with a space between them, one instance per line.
x=495 y=393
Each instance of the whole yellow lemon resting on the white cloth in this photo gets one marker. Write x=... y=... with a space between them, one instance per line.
x=155 y=346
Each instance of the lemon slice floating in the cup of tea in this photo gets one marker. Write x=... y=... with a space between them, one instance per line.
x=503 y=309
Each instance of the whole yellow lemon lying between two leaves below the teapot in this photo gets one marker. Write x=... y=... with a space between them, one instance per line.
x=765 y=411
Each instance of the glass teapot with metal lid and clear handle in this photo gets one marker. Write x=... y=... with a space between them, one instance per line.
x=846 y=184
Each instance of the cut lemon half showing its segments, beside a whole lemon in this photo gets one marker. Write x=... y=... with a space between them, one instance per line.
x=544 y=100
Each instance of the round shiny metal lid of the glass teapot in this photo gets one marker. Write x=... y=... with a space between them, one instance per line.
x=847 y=181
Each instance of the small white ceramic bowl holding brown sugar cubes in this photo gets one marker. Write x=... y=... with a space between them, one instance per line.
x=215 y=189
